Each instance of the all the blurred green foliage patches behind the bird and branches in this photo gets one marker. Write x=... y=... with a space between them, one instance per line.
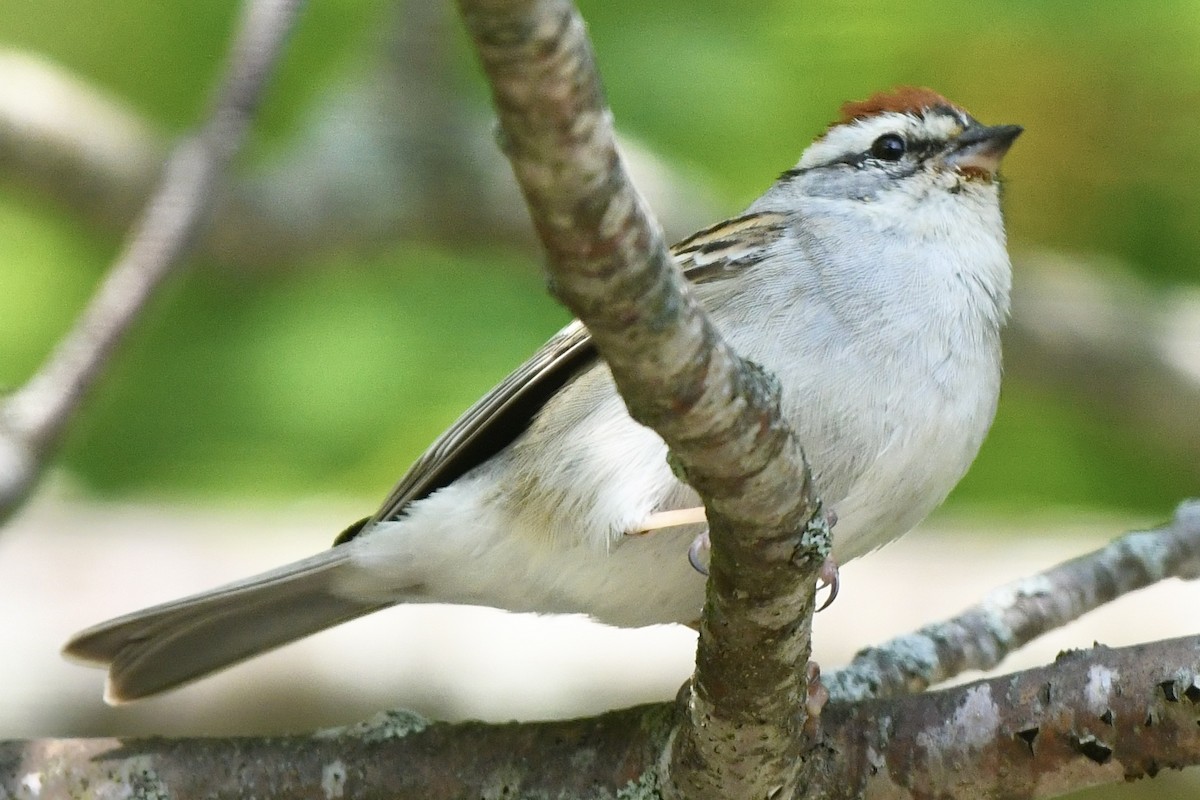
x=332 y=376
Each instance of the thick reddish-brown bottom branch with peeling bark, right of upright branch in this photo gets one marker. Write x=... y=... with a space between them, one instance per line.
x=1094 y=718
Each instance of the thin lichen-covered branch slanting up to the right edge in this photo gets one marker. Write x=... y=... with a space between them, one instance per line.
x=1013 y=616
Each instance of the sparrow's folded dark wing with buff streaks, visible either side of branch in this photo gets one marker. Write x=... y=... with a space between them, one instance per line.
x=506 y=412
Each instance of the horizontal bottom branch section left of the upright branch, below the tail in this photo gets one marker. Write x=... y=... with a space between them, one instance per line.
x=395 y=755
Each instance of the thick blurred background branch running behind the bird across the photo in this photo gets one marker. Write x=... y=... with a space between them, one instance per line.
x=388 y=155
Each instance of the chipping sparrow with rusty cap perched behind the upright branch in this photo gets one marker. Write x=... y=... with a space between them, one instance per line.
x=872 y=279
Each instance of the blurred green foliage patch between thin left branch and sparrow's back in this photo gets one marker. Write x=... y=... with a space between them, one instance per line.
x=321 y=382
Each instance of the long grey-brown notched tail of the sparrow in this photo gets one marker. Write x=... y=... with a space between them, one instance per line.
x=164 y=647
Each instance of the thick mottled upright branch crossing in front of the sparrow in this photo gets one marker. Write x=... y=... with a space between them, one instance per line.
x=721 y=417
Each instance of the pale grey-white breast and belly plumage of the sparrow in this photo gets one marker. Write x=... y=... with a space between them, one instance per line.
x=890 y=362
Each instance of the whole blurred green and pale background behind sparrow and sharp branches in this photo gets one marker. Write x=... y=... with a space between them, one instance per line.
x=370 y=273
